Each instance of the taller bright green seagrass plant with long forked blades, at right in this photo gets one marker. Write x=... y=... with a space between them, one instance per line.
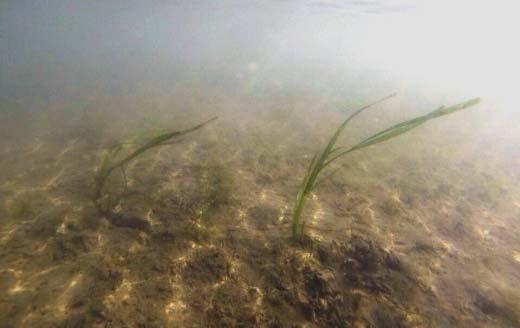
x=331 y=153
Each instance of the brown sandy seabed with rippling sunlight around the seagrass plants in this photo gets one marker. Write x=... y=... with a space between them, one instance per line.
x=415 y=233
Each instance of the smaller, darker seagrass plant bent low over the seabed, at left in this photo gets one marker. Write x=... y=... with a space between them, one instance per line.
x=110 y=164
